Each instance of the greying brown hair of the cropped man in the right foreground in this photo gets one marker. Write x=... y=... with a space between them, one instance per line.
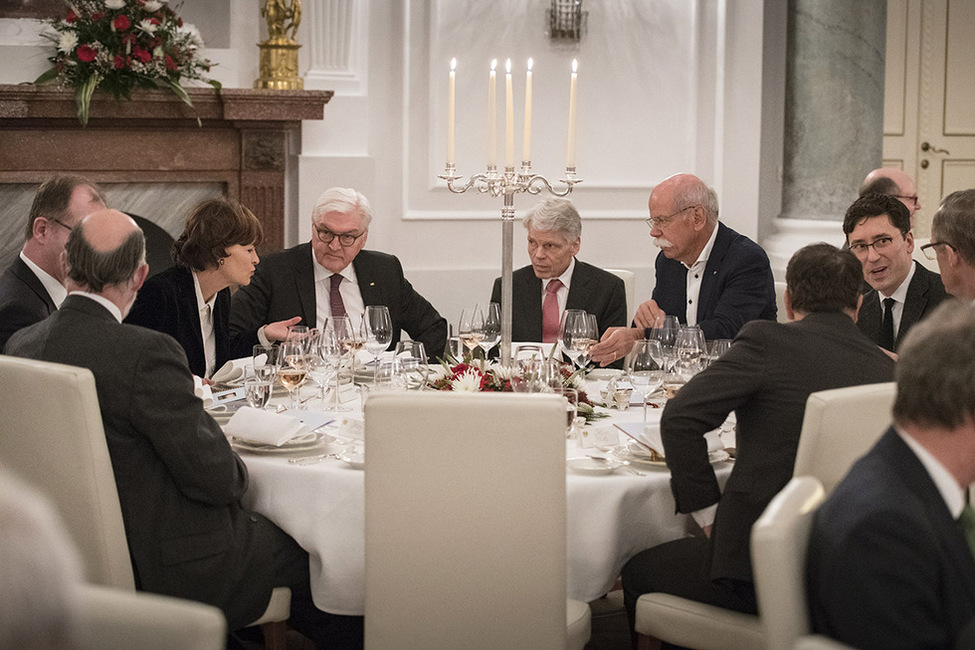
x=936 y=369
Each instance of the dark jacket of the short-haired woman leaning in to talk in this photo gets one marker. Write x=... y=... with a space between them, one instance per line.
x=167 y=303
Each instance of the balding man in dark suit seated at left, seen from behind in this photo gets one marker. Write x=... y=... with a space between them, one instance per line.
x=179 y=483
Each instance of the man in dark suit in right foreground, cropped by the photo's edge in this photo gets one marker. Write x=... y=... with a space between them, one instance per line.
x=889 y=563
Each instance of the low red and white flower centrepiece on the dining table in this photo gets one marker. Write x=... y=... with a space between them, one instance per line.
x=479 y=375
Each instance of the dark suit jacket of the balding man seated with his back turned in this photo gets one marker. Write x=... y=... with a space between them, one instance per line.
x=179 y=482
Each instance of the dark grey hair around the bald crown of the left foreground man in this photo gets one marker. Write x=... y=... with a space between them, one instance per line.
x=97 y=269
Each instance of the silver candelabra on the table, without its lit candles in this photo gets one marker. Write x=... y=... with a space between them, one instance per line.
x=507 y=184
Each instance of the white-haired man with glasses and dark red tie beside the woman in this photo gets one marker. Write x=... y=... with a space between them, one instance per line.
x=333 y=274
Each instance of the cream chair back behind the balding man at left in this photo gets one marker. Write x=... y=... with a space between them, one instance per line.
x=53 y=438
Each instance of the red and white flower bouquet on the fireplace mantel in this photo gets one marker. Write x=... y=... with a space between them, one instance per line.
x=120 y=45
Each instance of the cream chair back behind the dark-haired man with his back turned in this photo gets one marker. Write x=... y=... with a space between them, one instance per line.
x=839 y=426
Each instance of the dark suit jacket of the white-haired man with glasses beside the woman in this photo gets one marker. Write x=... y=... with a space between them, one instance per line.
x=284 y=286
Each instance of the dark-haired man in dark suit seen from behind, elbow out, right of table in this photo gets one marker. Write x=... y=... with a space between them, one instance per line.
x=765 y=378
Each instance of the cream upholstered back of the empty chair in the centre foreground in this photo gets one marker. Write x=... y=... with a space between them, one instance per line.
x=465 y=520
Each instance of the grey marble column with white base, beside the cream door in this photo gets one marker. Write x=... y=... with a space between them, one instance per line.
x=834 y=110
